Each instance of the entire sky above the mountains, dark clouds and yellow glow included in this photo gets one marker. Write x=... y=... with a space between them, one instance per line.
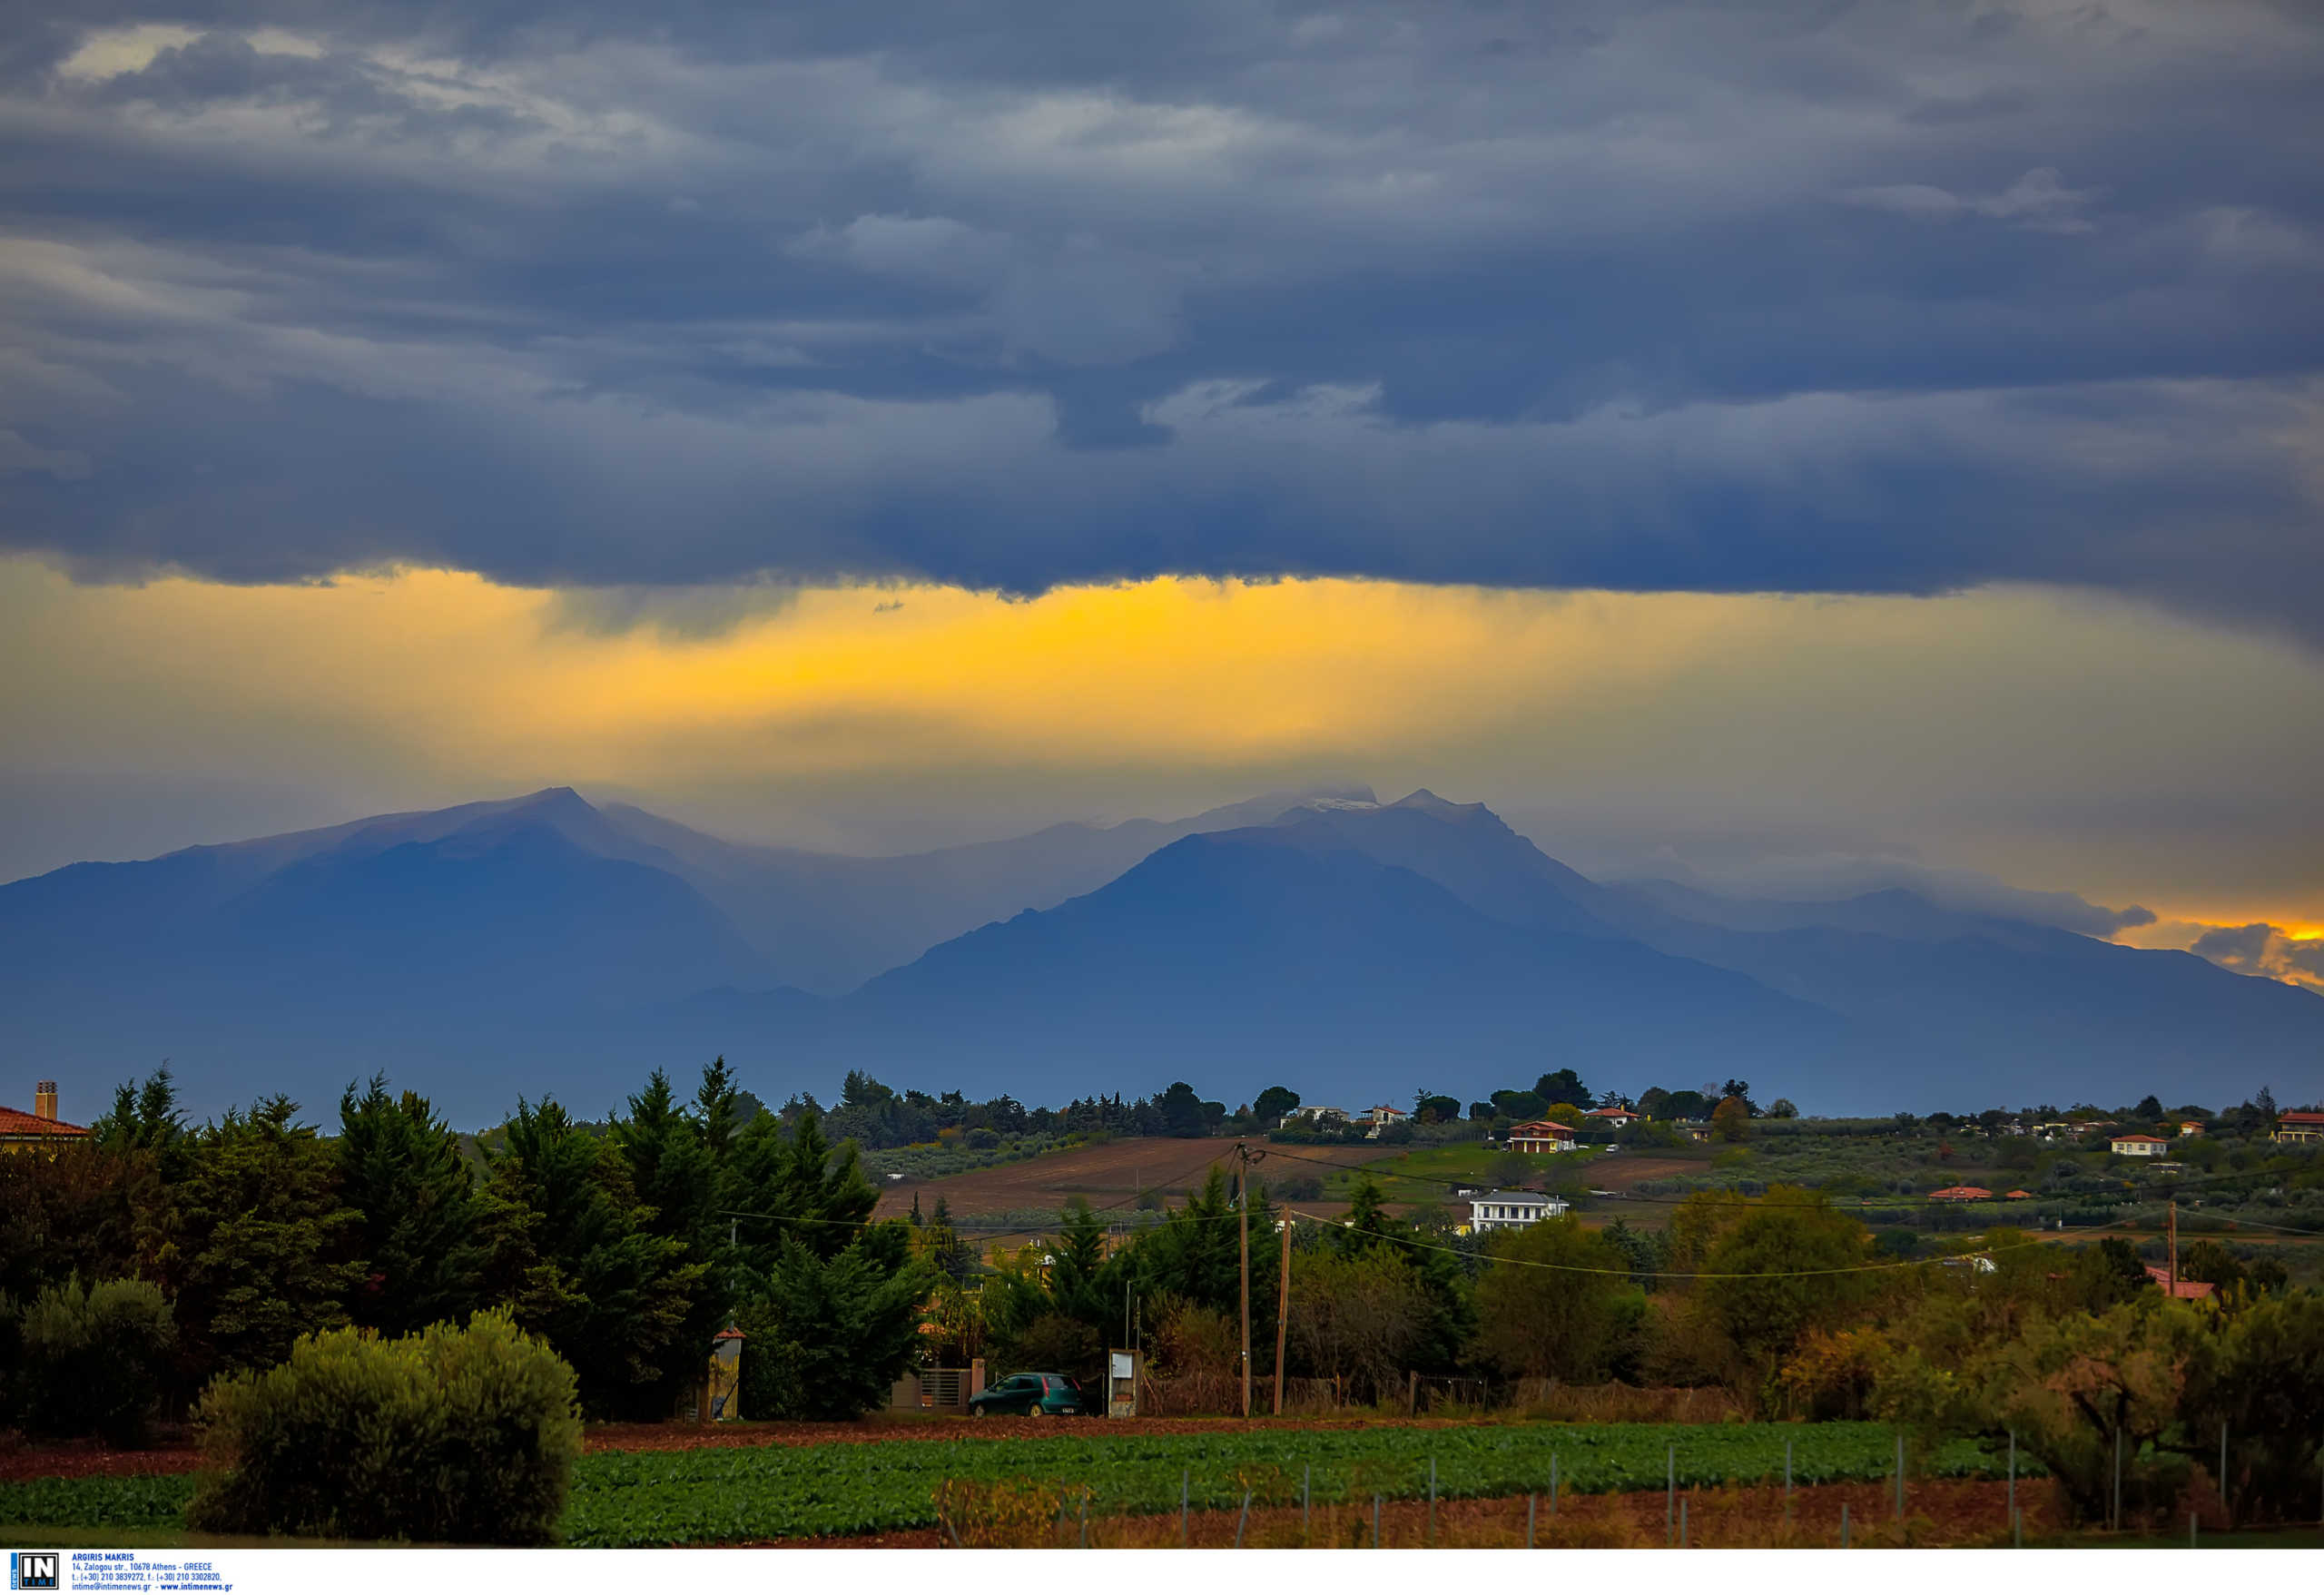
x=1767 y=443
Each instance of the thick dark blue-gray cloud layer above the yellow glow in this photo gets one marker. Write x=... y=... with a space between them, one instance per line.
x=1672 y=296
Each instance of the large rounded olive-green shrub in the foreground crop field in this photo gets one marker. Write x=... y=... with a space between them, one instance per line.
x=445 y=1436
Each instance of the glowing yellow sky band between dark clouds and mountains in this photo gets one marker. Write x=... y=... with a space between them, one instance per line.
x=2058 y=743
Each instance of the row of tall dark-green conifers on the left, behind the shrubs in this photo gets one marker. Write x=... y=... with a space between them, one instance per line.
x=624 y=1247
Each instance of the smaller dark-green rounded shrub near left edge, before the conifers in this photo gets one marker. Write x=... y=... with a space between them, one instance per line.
x=92 y=1359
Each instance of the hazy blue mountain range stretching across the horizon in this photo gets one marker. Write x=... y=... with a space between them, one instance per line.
x=1326 y=940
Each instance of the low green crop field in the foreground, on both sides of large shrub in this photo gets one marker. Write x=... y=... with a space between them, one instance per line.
x=738 y=1494
